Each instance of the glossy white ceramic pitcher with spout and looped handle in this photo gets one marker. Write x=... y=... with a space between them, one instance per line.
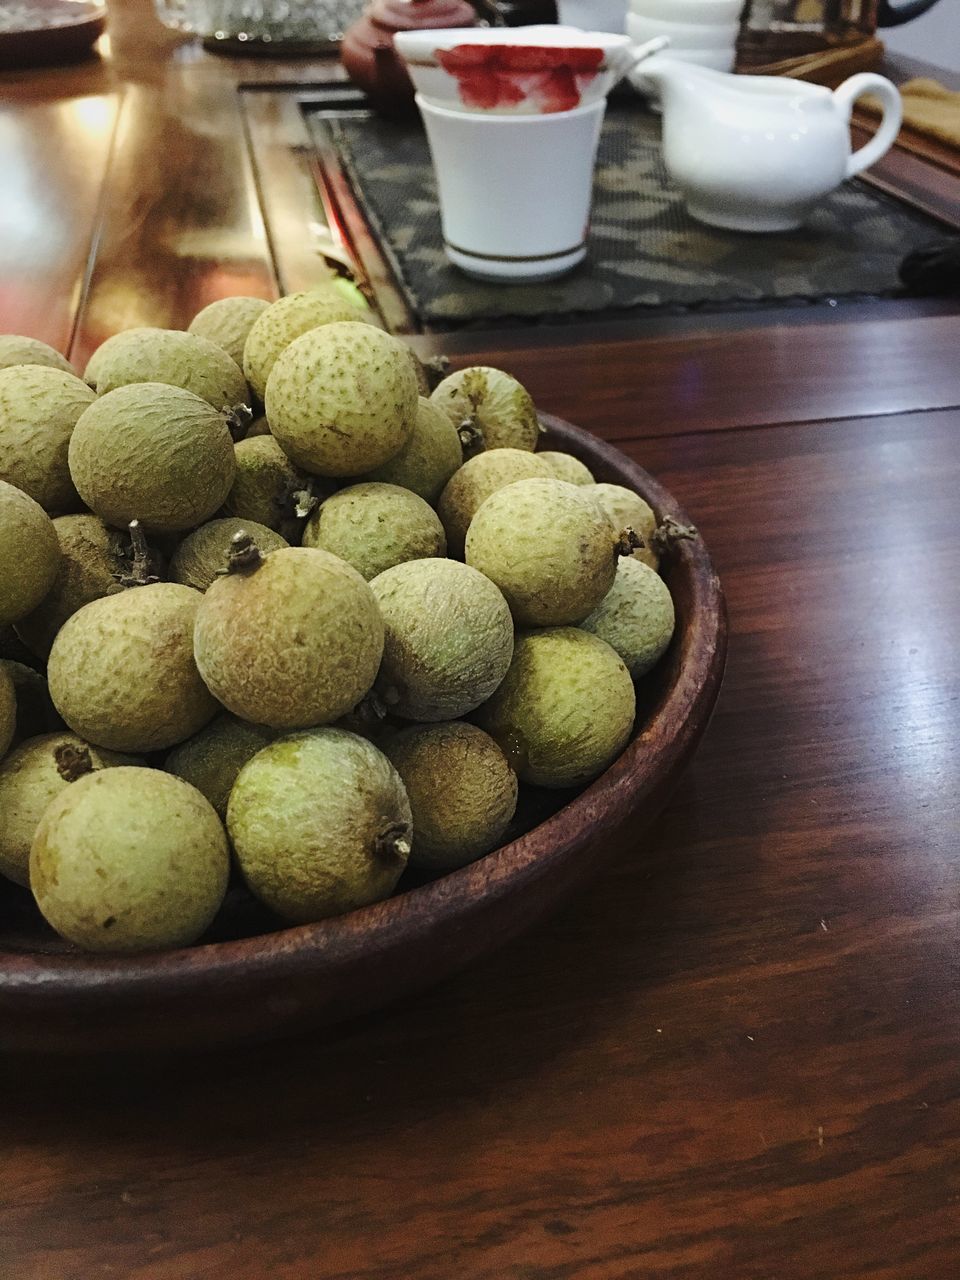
x=757 y=153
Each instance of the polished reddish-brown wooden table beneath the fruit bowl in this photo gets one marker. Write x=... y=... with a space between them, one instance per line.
x=735 y=1058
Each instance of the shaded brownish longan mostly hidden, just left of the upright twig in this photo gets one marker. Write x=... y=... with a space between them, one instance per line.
x=93 y=561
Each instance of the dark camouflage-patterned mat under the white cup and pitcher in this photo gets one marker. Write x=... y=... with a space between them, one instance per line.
x=646 y=252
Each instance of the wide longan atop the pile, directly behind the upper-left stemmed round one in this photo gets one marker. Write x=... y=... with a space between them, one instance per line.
x=179 y=360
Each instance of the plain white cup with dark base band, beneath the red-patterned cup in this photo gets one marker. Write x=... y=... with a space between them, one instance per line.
x=515 y=190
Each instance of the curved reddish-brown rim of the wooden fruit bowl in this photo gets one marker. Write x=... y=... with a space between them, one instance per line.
x=637 y=775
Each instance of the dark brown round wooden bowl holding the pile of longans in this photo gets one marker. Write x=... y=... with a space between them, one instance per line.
x=276 y=984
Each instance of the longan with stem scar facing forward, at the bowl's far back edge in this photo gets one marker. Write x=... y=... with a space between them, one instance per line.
x=492 y=408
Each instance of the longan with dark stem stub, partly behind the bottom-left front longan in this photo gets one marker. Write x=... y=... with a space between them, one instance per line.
x=31 y=778
